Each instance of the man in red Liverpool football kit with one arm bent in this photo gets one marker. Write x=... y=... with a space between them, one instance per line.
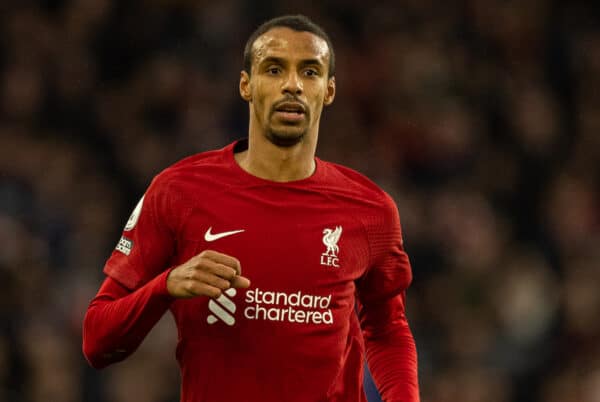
x=262 y=251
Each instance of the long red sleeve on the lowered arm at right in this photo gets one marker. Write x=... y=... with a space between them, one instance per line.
x=390 y=348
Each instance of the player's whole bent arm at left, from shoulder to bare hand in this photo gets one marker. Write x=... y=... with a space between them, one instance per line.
x=139 y=289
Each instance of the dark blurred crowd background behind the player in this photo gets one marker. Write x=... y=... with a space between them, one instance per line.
x=480 y=117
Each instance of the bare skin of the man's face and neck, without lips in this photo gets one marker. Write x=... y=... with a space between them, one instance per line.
x=287 y=65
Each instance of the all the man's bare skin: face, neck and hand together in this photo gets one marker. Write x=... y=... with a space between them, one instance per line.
x=289 y=70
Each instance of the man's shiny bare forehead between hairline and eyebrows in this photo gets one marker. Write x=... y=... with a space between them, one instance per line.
x=289 y=44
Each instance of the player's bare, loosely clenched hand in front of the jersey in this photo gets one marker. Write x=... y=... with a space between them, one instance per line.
x=206 y=274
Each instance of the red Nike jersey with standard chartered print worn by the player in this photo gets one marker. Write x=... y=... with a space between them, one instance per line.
x=314 y=249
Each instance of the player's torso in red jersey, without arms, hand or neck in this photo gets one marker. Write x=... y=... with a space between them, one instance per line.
x=293 y=335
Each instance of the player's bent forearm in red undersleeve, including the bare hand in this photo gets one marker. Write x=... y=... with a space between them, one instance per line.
x=118 y=320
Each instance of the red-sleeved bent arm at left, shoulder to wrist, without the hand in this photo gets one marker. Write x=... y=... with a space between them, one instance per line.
x=134 y=296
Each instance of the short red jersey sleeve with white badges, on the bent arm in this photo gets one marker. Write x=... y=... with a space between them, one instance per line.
x=148 y=239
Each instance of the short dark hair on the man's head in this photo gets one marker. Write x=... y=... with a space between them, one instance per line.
x=299 y=23
